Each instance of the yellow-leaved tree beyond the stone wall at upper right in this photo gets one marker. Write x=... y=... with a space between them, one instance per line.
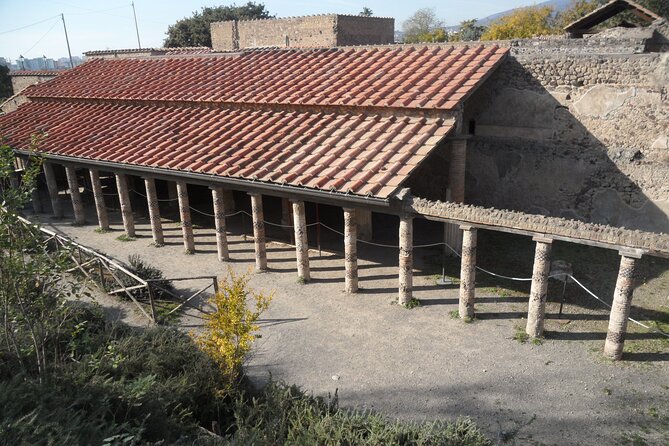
x=523 y=23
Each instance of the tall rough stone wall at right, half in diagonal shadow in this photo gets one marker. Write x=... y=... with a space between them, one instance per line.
x=583 y=136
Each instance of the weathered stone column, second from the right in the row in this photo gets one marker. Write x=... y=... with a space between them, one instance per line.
x=537 y=304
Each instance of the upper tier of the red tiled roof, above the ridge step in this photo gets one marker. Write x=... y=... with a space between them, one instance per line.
x=427 y=77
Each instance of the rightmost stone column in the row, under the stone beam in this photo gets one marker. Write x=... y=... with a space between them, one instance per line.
x=620 y=310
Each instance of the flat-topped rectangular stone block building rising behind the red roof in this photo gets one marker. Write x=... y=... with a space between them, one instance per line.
x=308 y=31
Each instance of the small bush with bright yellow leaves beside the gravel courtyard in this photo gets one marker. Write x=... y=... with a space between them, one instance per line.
x=231 y=329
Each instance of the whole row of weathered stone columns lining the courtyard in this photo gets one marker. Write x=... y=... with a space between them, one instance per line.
x=294 y=212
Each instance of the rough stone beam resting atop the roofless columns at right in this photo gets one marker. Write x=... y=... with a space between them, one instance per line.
x=617 y=238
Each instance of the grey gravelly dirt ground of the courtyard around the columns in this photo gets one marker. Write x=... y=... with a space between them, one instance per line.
x=423 y=363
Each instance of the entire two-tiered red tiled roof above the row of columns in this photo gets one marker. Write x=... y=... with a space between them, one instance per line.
x=348 y=120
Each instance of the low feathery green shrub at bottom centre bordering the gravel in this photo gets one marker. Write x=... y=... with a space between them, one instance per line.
x=284 y=415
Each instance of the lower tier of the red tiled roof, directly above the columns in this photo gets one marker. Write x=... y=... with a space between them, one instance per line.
x=349 y=153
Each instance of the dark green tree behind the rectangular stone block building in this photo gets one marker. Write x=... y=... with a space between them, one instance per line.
x=195 y=30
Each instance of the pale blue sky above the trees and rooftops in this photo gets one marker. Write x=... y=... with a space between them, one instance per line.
x=109 y=24
